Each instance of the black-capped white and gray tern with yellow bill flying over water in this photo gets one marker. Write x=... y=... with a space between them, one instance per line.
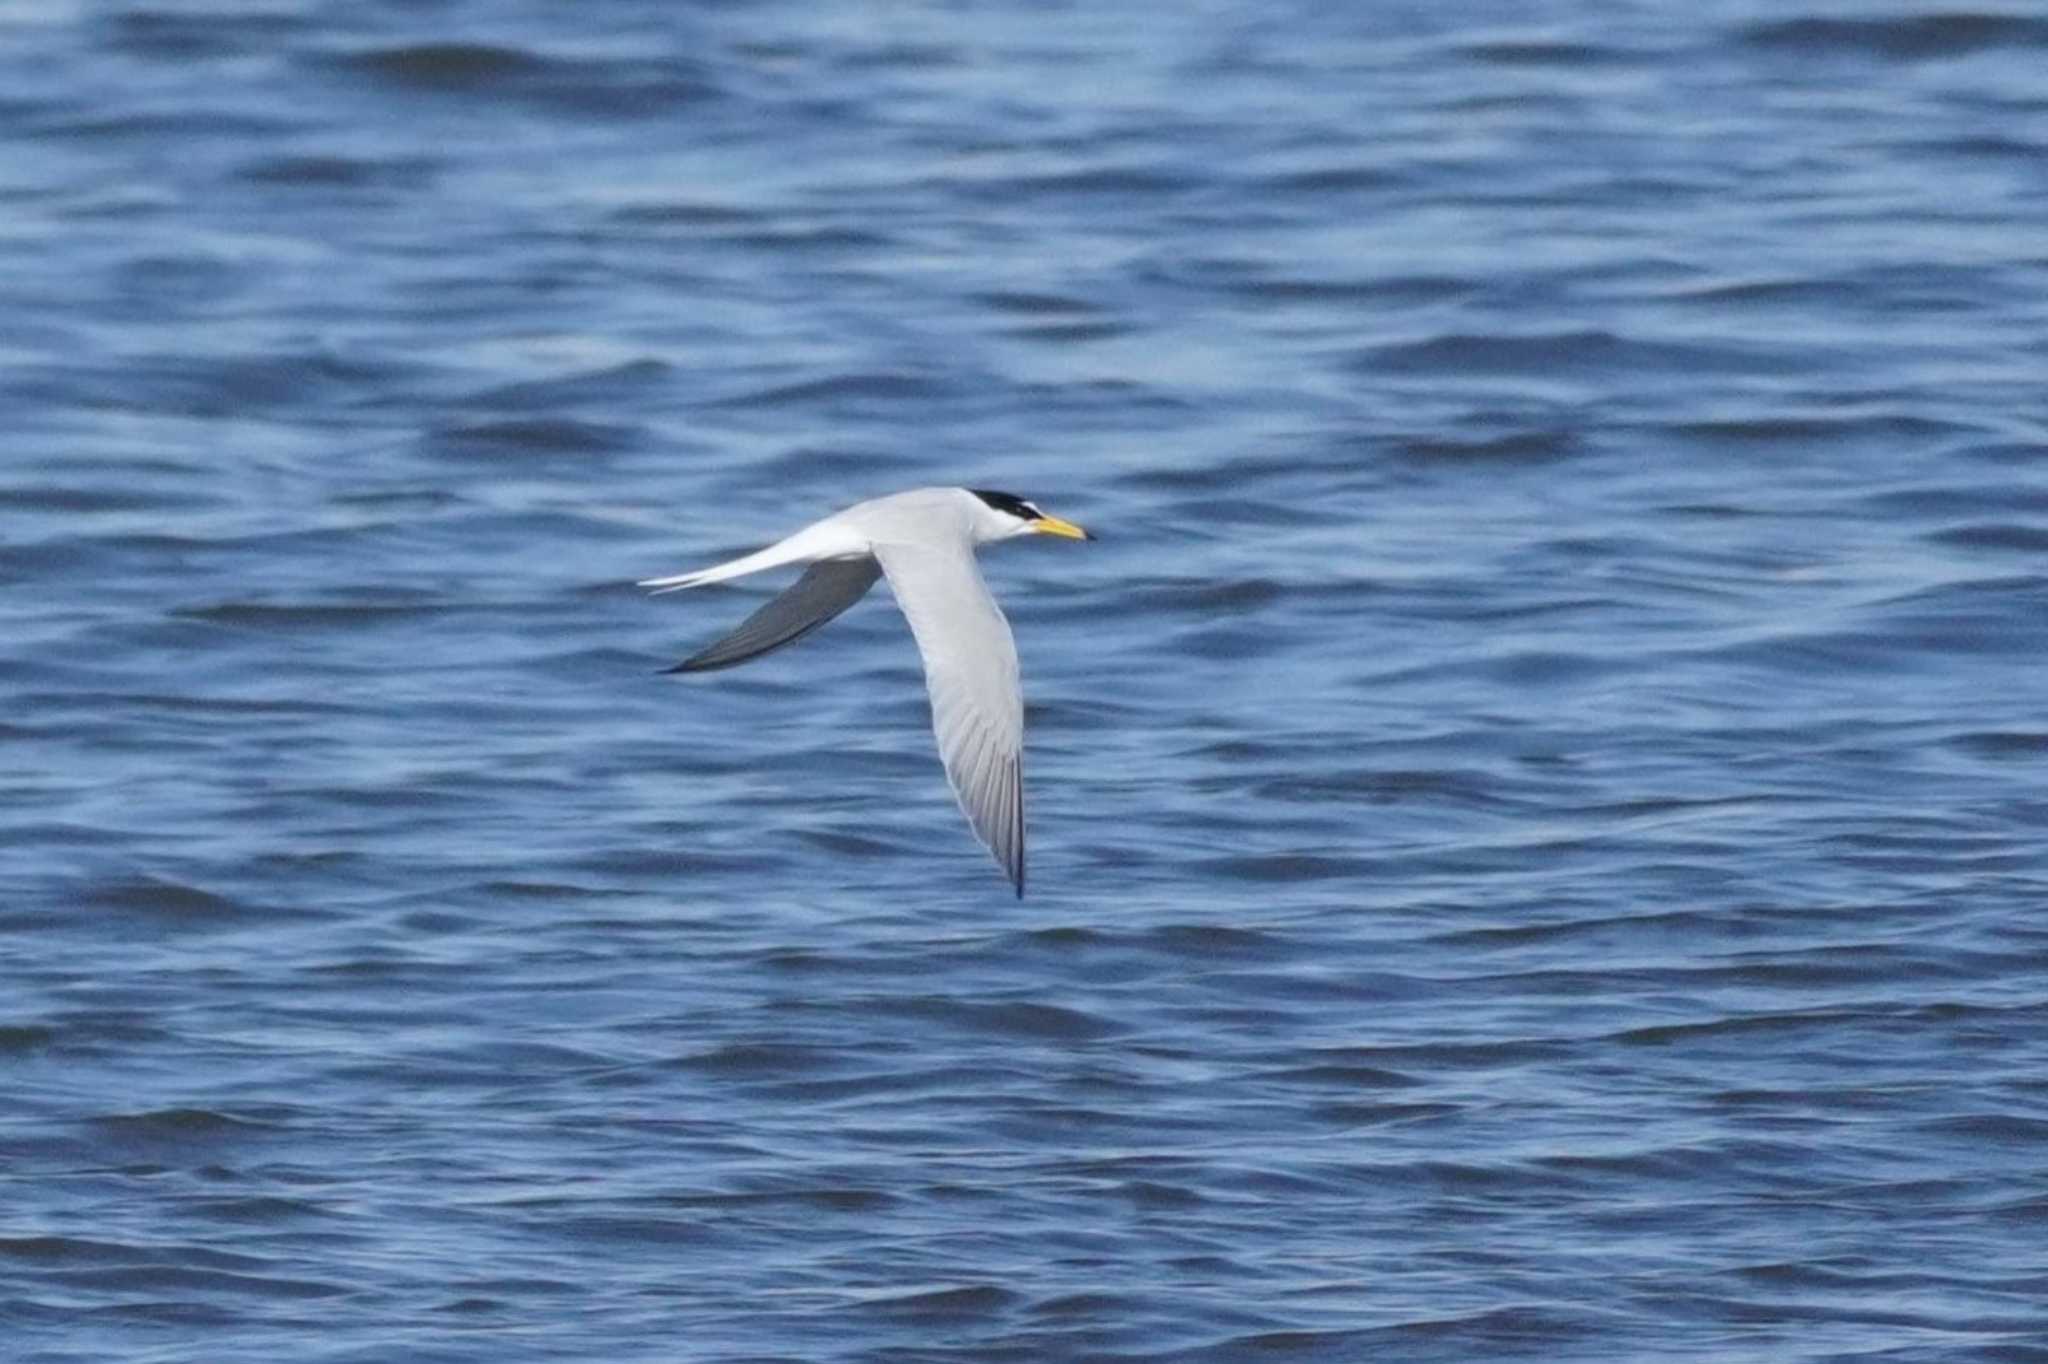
x=925 y=542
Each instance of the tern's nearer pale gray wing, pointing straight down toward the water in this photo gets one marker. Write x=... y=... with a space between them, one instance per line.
x=972 y=673
